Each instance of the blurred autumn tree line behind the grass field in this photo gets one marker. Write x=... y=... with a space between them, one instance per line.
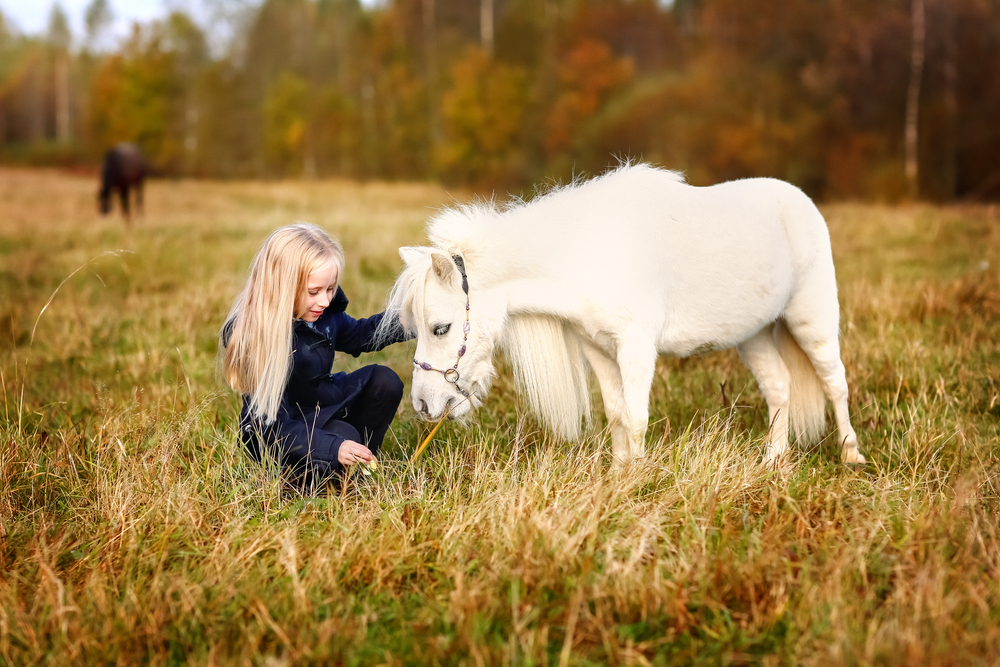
x=874 y=99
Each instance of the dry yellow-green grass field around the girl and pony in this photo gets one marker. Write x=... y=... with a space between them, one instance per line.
x=134 y=530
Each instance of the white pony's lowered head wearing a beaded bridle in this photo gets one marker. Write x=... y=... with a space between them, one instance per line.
x=452 y=366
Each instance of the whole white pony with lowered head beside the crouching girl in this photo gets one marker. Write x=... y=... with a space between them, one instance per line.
x=614 y=271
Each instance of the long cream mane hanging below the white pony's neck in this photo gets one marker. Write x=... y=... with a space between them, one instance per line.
x=550 y=370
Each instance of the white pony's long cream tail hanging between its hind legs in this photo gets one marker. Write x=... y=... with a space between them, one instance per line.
x=807 y=404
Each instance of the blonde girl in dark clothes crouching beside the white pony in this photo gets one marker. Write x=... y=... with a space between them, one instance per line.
x=277 y=347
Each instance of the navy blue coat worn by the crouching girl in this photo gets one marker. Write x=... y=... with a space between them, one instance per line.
x=314 y=395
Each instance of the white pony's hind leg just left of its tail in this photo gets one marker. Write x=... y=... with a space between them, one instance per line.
x=761 y=356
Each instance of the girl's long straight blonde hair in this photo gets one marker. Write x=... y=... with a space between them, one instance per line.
x=256 y=340
